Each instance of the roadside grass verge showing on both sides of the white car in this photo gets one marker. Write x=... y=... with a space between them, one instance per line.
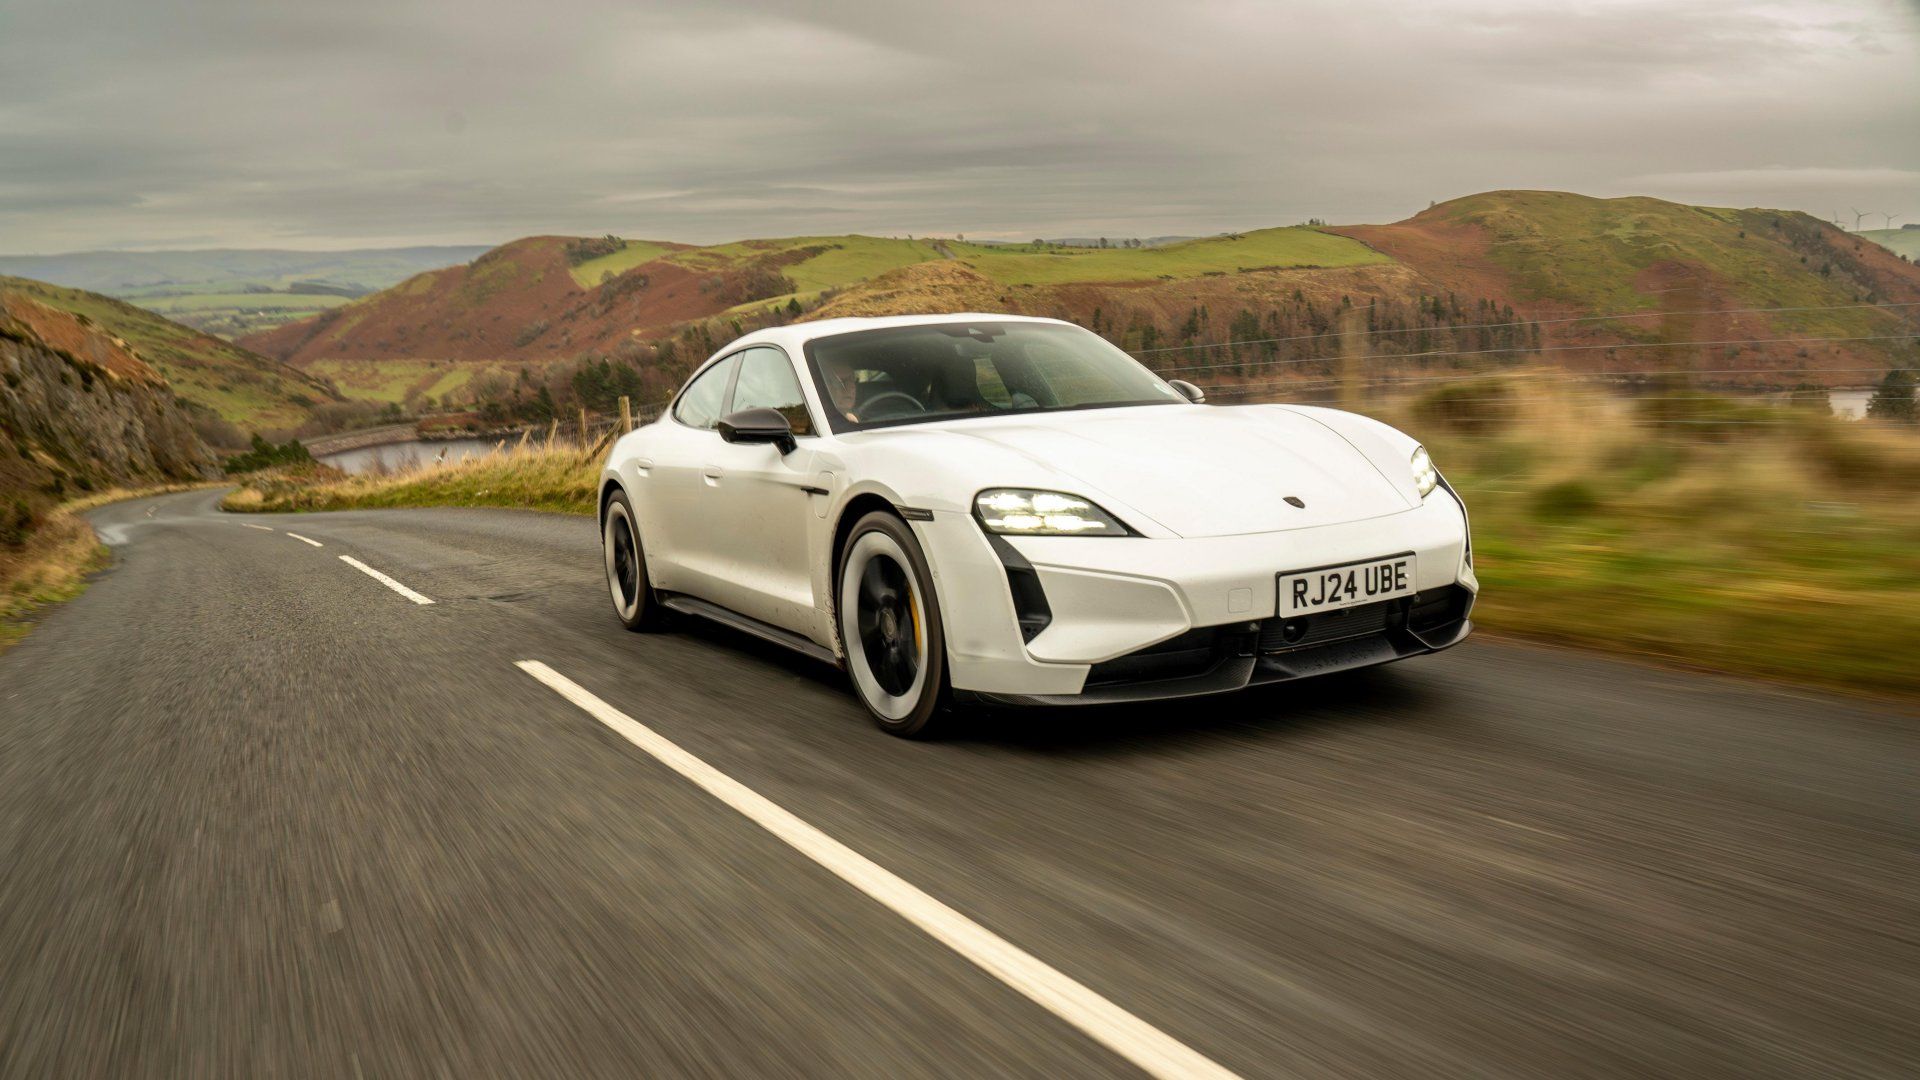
x=1712 y=533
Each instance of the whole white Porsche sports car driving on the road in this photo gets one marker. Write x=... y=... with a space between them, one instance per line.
x=1009 y=510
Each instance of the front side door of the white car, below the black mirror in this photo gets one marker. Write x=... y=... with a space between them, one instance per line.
x=761 y=501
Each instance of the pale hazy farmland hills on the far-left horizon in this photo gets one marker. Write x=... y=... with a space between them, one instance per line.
x=237 y=291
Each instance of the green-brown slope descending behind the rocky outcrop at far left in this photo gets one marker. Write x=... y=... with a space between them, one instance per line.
x=233 y=383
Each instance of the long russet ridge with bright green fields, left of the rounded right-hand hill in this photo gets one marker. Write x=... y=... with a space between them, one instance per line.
x=552 y=297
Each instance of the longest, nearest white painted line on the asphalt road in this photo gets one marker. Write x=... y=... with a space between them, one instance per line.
x=1126 y=1035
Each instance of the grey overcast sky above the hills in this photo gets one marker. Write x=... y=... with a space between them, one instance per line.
x=325 y=124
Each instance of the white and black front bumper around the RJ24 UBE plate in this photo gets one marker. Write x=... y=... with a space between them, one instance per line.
x=1122 y=606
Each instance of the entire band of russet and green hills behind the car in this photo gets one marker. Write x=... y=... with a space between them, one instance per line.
x=1493 y=258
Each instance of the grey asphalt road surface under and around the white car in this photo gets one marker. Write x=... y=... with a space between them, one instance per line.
x=262 y=816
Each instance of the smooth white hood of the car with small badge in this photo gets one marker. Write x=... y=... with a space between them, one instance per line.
x=1201 y=472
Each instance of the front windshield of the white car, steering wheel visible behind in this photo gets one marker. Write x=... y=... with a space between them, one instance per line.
x=944 y=372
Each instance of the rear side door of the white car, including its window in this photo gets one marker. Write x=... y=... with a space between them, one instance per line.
x=675 y=499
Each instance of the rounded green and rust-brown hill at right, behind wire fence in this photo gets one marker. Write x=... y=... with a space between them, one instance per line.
x=1564 y=257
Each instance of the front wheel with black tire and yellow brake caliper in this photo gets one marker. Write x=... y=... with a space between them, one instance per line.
x=890 y=627
